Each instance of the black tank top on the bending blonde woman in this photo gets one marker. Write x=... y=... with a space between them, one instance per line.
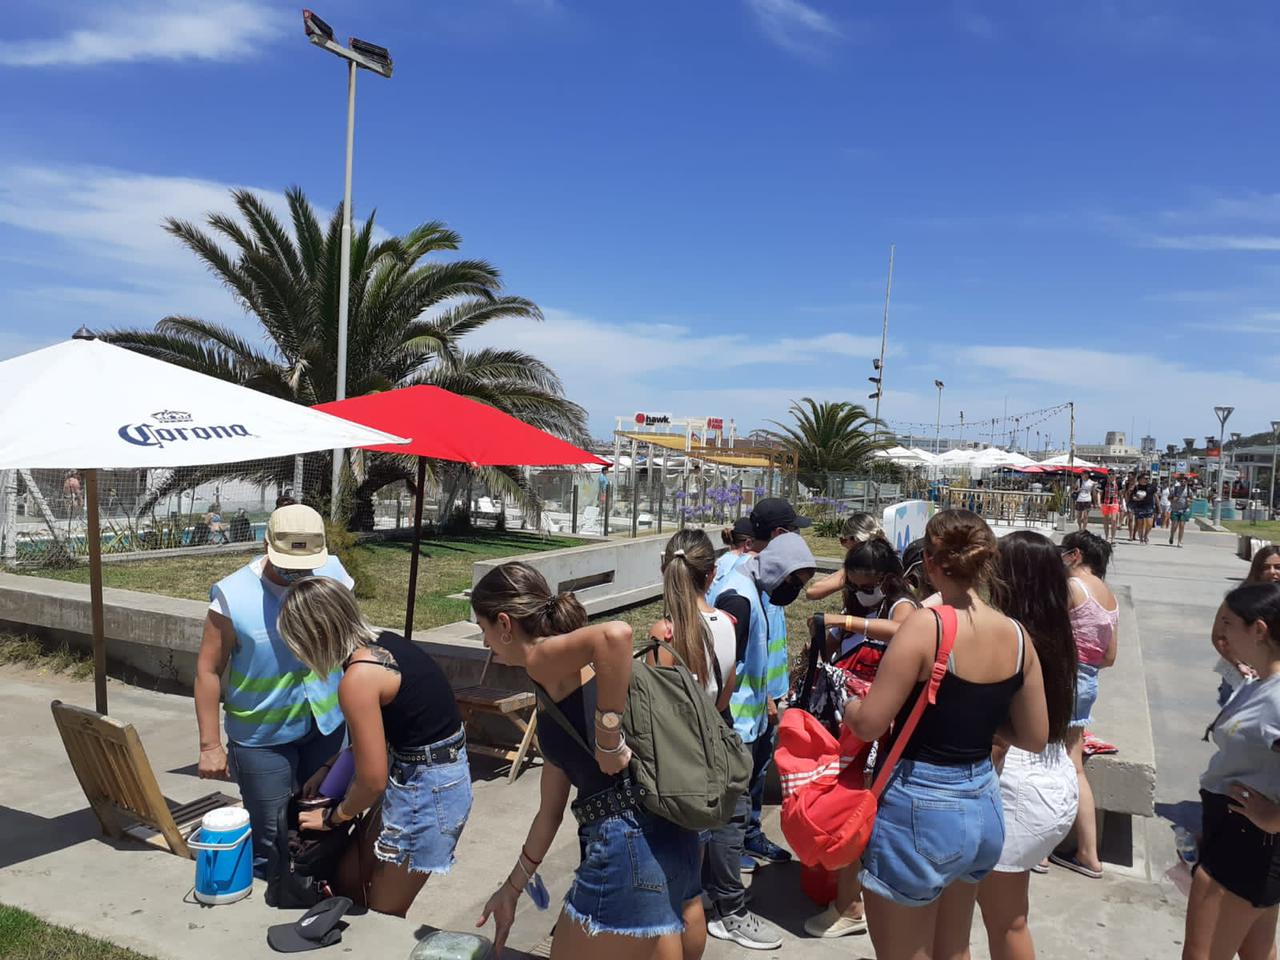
x=424 y=711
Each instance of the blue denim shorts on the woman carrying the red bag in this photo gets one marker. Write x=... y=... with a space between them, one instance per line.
x=936 y=825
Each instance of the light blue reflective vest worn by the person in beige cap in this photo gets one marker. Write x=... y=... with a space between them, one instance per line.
x=272 y=697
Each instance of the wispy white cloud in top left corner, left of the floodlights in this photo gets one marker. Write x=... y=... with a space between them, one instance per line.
x=156 y=30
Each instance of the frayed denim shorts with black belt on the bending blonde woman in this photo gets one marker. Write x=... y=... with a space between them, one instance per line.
x=424 y=811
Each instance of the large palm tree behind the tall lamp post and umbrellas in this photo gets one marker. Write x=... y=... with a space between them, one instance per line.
x=408 y=318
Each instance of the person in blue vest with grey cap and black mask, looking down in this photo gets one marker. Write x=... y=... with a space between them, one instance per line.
x=780 y=573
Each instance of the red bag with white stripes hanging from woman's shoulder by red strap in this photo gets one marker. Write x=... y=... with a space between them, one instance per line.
x=828 y=813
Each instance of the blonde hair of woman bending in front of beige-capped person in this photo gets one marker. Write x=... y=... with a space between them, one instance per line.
x=322 y=624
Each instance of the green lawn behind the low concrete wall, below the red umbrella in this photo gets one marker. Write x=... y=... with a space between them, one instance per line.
x=445 y=569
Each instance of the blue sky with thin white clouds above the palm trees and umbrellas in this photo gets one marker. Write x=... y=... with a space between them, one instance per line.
x=702 y=195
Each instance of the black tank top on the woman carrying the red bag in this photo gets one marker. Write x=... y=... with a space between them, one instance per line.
x=959 y=728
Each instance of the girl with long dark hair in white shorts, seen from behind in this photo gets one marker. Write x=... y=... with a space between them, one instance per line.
x=1040 y=792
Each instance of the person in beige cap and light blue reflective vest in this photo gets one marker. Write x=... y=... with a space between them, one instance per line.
x=284 y=723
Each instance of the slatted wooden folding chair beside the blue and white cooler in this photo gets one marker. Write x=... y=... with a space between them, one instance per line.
x=121 y=787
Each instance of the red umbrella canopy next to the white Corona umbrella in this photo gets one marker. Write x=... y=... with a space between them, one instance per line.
x=447 y=427
